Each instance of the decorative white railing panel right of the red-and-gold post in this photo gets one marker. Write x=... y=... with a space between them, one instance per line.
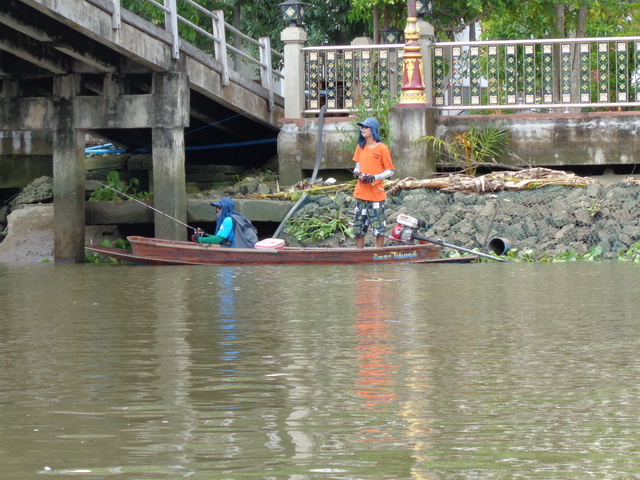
x=536 y=74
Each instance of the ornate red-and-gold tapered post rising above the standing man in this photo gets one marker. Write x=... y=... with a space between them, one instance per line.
x=412 y=78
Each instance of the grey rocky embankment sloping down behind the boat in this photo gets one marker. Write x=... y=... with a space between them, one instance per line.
x=544 y=221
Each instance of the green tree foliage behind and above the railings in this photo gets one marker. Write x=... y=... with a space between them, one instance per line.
x=338 y=22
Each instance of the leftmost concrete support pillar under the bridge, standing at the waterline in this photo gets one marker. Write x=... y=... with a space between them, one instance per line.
x=68 y=175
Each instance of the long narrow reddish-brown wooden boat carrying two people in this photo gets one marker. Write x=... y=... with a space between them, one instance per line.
x=155 y=251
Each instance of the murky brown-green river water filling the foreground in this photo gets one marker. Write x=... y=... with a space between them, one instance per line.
x=482 y=371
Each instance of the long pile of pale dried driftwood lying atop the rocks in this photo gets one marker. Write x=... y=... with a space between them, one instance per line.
x=494 y=182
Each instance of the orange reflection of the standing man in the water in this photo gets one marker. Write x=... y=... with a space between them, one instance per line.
x=375 y=383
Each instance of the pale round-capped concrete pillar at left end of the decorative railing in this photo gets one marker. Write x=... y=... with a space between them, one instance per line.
x=293 y=38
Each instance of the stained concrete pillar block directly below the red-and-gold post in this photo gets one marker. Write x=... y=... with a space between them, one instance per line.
x=407 y=125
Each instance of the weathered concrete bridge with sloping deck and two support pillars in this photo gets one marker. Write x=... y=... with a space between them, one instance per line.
x=72 y=68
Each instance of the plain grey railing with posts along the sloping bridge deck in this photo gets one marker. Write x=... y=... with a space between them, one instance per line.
x=243 y=53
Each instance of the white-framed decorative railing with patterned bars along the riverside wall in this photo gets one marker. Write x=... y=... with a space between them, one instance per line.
x=513 y=75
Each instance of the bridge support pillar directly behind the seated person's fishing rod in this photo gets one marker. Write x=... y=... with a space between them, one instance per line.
x=171 y=92
